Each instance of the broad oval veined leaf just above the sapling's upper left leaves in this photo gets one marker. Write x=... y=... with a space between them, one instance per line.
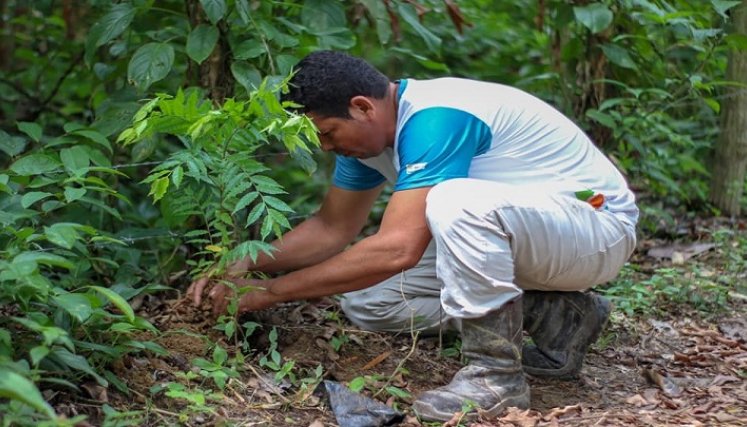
x=150 y=63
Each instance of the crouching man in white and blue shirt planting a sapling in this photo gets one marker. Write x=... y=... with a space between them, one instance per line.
x=496 y=195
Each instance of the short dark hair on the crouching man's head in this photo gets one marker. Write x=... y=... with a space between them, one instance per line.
x=325 y=81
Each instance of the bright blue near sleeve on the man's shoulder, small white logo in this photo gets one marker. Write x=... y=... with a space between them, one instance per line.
x=437 y=144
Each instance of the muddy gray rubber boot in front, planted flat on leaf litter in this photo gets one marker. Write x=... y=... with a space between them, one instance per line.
x=493 y=380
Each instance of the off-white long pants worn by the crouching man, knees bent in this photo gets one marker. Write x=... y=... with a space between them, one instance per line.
x=491 y=241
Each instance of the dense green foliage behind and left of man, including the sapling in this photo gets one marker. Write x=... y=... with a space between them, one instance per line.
x=139 y=137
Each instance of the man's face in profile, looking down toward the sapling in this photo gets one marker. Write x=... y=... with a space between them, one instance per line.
x=361 y=136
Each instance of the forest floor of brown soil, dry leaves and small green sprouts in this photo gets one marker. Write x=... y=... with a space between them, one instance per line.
x=673 y=358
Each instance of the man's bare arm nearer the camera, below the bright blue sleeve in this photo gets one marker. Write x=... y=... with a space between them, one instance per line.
x=399 y=245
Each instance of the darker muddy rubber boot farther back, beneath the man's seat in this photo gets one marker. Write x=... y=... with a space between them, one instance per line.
x=562 y=325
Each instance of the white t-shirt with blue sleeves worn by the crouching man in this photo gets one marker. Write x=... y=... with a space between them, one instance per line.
x=455 y=128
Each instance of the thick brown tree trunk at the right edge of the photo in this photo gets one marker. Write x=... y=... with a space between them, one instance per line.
x=730 y=160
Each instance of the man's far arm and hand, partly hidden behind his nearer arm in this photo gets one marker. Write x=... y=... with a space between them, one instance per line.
x=341 y=217
